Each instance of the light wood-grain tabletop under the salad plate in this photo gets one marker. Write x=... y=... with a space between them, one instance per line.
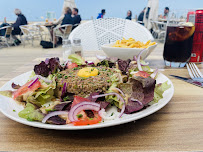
x=177 y=126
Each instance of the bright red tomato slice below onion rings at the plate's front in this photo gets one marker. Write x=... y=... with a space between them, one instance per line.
x=88 y=121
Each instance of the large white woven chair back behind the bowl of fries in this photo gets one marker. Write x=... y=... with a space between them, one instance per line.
x=97 y=32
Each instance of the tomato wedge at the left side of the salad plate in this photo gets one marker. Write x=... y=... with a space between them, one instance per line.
x=24 y=89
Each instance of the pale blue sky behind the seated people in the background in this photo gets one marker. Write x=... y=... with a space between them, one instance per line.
x=36 y=10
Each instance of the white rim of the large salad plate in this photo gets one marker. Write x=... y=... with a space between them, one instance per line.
x=102 y=125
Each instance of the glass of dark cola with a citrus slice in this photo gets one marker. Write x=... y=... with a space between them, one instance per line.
x=178 y=44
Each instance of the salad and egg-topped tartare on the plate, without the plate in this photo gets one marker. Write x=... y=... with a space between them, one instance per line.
x=53 y=89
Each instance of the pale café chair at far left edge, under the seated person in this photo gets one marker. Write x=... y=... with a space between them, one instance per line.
x=7 y=37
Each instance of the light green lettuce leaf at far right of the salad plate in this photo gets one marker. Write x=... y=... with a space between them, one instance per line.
x=159 y=90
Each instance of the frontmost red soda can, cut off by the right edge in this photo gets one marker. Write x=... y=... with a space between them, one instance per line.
x=197 y=50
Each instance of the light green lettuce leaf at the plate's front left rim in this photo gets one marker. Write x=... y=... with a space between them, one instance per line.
x=30 y=113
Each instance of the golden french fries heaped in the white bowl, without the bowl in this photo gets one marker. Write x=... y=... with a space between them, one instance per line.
x=131 y=43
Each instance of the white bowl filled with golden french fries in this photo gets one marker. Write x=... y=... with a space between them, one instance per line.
x=127 y=48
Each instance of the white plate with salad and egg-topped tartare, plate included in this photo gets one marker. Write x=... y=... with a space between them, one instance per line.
x=85 y=95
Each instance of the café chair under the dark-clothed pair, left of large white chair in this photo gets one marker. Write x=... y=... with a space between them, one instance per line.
x=63 y=32
